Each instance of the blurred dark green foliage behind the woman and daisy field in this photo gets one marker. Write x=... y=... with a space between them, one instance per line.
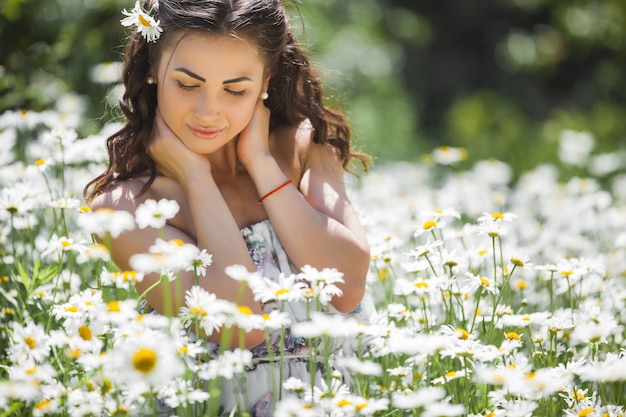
x=500 y=78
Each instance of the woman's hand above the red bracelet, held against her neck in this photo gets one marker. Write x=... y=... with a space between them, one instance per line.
x=254 y=139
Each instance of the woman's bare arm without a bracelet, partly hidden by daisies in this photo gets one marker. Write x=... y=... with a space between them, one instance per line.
x=213 y=226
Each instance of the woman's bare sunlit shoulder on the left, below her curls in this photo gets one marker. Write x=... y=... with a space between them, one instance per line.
x=125 y=195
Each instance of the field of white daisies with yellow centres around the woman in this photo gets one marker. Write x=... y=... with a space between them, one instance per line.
x=492 y=300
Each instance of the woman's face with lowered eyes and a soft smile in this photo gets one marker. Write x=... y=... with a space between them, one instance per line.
x=207 y=88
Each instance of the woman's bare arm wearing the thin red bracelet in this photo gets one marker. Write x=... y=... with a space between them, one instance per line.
x=315 y=222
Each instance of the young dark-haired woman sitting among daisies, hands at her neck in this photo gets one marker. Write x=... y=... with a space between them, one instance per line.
x=225 y=115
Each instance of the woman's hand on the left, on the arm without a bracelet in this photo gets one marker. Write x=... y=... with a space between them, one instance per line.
x=172 y=157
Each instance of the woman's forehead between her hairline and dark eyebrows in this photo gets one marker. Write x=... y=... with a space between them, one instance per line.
x=212 y=54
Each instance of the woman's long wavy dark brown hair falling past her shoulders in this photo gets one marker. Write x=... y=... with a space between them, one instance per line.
x=295 y=90
